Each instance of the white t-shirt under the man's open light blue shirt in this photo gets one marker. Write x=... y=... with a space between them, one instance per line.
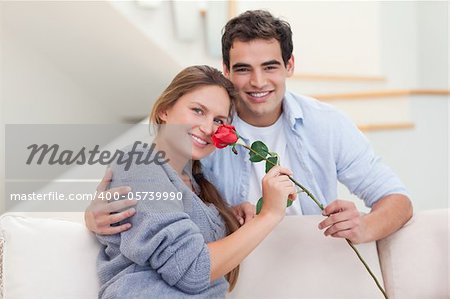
x=275 y=138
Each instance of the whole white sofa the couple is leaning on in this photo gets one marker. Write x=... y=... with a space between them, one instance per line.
x=53 y=256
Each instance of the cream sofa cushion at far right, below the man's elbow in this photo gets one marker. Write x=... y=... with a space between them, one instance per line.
x=415 y=259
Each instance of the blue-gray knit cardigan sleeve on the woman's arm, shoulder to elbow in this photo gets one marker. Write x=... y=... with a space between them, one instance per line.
x=162 y=235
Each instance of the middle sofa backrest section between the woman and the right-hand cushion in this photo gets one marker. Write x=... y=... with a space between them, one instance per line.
x=297 y=261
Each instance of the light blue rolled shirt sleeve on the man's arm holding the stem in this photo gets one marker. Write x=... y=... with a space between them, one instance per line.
x=358 y=168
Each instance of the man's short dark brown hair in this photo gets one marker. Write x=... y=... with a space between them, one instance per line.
x=256 y=24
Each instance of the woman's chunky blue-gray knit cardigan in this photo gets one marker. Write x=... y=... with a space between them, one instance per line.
x=164 y=254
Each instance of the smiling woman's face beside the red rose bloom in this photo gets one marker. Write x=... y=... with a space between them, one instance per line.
x=197 y=115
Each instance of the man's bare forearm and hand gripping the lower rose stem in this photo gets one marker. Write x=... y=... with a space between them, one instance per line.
x=387 y=215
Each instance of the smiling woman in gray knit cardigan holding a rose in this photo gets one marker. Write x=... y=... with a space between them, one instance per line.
x=185 y=248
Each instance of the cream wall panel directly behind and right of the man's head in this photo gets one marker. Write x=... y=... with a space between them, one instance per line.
x=330 y=37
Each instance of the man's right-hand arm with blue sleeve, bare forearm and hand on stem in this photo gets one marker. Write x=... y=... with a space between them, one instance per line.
x=363 y=173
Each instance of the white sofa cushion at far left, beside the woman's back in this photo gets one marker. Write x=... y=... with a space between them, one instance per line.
x=47 y=258
